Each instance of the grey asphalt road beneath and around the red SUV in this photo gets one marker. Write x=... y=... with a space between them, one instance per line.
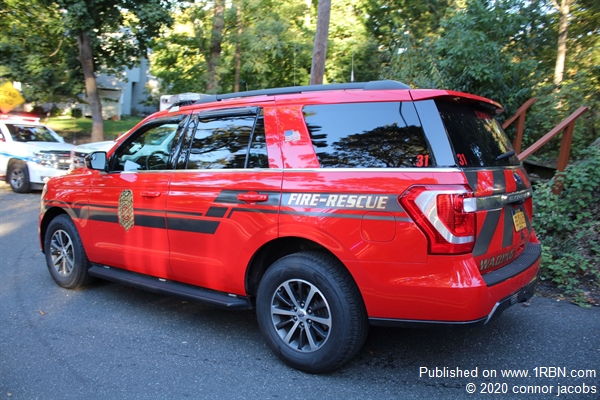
x=113 y=342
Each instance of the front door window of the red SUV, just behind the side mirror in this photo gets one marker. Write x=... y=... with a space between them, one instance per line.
x=147 y=149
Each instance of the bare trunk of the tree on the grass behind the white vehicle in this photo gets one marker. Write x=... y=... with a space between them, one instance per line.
x=91 y=89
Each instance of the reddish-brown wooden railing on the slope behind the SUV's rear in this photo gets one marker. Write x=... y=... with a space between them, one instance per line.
x=566 y=126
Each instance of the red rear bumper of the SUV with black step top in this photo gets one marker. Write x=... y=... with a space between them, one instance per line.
x=445 y=290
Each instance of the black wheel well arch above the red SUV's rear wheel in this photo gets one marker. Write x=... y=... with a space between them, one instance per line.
x=271 y=252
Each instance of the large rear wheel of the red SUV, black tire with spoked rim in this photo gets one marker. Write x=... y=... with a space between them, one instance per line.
x=310 y=312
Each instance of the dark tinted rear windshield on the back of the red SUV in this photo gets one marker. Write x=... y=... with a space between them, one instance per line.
x=477 y=137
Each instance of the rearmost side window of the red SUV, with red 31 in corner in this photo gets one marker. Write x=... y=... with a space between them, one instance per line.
x=368 y=135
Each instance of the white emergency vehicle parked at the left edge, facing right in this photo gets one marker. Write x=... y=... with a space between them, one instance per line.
x=30 y=153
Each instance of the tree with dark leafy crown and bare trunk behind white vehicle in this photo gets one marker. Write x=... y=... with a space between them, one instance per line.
x=110 y=36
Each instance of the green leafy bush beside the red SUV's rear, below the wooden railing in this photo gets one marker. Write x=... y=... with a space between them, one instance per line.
x=568 y=225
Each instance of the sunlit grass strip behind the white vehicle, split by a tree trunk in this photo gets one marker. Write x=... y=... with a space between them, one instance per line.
x=79 y=130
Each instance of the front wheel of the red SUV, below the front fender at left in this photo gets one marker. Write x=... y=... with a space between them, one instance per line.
x=65 y=256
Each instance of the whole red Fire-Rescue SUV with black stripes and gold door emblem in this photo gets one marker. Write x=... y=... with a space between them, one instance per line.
x=327 y=208
